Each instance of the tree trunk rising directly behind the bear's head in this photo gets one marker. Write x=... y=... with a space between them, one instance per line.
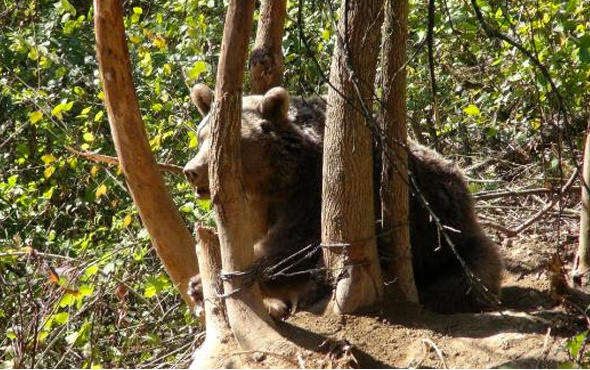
x=266 y=61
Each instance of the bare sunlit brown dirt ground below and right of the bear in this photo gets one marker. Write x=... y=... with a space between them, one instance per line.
x=530 y=329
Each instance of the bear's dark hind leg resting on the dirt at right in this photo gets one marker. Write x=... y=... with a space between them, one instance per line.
x=454 y=291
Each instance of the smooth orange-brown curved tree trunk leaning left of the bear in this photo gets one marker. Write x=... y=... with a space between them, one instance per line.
x=169 y=235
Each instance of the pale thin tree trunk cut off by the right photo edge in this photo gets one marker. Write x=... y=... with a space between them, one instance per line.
x=583 y=259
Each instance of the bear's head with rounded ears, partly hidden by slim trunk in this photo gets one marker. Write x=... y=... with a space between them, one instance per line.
x=264 y=121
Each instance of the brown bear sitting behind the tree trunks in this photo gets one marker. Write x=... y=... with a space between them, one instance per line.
x=282 y=143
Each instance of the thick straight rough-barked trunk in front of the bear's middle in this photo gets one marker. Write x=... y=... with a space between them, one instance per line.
x=348 y=224
